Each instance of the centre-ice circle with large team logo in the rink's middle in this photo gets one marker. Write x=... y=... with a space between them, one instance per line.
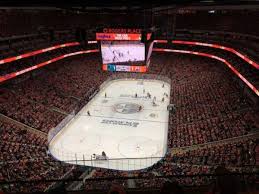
x=127 y=108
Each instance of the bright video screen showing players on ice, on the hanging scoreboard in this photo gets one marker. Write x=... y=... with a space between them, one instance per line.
x=122 y=51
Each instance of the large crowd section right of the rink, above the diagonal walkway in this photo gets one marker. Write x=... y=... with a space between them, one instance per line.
x=209 y=108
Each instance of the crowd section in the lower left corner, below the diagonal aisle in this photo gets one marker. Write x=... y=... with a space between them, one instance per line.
x=22 y=151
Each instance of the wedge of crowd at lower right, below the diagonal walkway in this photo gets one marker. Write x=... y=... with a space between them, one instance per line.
x=230 y=154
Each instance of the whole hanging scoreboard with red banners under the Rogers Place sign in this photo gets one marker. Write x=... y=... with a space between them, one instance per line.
x=124 y=49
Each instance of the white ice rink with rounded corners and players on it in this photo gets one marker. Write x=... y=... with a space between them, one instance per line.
x=123 y=122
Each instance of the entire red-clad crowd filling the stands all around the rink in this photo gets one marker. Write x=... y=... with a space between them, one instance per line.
x=209 y=108
